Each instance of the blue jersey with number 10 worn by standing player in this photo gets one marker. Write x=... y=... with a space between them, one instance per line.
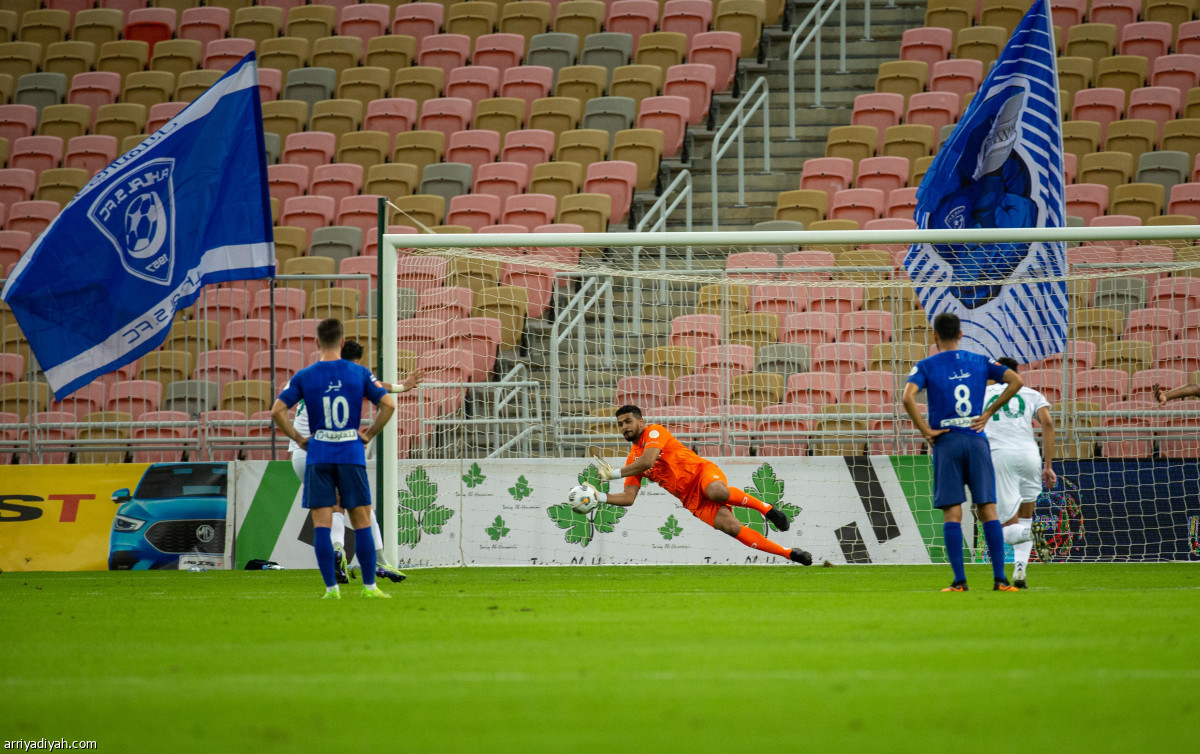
x=333 y=394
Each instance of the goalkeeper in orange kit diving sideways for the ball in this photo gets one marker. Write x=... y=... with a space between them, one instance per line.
x=699 y=484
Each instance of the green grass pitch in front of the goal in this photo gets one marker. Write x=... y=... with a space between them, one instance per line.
x=1096 y=657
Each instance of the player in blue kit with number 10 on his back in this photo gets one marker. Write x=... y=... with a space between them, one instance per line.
x=333 y=391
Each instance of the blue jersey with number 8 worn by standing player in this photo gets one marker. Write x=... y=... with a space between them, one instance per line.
x=956 y=384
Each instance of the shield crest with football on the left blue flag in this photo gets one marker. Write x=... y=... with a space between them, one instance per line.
x=137 y=216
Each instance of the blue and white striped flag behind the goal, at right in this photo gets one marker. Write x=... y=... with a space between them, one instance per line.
x=1001 y=169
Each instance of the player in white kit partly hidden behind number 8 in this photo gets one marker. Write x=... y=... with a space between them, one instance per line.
x=1021 y=469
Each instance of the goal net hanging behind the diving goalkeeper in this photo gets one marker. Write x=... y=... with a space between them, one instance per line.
x=783 y=357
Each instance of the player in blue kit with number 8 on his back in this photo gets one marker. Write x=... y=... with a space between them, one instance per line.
x=956 y=384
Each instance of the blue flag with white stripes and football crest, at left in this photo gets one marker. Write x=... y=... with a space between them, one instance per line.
x=189 y=207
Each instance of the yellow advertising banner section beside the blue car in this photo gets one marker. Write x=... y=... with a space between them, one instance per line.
x=59 y=518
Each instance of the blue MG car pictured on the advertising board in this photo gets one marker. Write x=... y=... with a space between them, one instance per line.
x=178 y=510
